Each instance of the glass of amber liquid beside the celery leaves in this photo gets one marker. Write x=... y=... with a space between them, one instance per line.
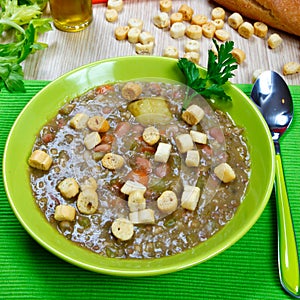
x=71 y=15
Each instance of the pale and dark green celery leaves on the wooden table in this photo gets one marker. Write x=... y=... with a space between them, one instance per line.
x=22 y=23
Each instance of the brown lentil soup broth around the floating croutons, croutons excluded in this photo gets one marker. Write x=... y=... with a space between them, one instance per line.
x=171 y=233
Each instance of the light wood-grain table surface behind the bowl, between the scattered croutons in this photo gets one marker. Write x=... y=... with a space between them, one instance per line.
x=67 y=51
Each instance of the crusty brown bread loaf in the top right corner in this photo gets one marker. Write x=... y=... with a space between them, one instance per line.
x=280 y=14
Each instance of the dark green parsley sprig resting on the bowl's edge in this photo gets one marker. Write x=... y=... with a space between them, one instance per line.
x=219 y=69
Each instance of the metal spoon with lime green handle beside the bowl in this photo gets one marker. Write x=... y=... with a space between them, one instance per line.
x=273 y=98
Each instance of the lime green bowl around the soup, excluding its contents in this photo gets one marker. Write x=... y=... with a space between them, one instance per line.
x=45 y=106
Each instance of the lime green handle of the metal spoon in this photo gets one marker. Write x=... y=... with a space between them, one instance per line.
x=288 y=255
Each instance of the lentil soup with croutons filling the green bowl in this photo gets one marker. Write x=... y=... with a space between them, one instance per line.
x=127 y=173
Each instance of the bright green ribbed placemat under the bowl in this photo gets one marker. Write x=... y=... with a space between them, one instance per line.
x=247 y=270
